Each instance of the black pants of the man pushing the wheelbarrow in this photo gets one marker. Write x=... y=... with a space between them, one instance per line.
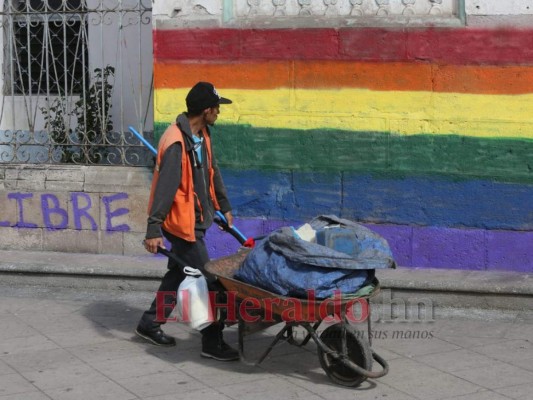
x=193 y=254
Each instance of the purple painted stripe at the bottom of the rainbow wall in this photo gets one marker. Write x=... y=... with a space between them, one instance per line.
x=418 y=247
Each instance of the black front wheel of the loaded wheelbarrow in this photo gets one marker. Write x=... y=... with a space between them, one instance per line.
x=357 y=350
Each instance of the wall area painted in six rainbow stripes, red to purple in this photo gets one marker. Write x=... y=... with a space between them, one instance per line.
x=425 y=135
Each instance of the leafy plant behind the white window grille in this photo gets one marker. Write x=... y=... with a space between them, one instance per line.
x=87 y=143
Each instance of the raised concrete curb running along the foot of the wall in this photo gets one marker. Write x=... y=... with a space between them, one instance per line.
x=445 y=287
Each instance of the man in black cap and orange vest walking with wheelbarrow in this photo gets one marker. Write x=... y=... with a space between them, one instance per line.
x=187 y=189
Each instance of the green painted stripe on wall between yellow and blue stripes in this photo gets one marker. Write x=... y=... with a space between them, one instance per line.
x=459 y=157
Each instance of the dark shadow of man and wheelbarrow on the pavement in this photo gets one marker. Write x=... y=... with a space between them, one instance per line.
x=117 y=319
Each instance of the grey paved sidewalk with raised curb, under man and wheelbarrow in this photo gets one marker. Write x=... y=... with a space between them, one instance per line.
x=67 y=324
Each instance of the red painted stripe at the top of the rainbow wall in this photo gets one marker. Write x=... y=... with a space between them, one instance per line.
x=451 y=46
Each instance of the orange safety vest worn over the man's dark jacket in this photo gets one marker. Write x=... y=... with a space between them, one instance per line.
x=180 y=221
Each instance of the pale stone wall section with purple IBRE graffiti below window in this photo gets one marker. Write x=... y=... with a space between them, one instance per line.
x=73 y=208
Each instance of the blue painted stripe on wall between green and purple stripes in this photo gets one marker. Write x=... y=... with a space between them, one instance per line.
x=419 y=200
